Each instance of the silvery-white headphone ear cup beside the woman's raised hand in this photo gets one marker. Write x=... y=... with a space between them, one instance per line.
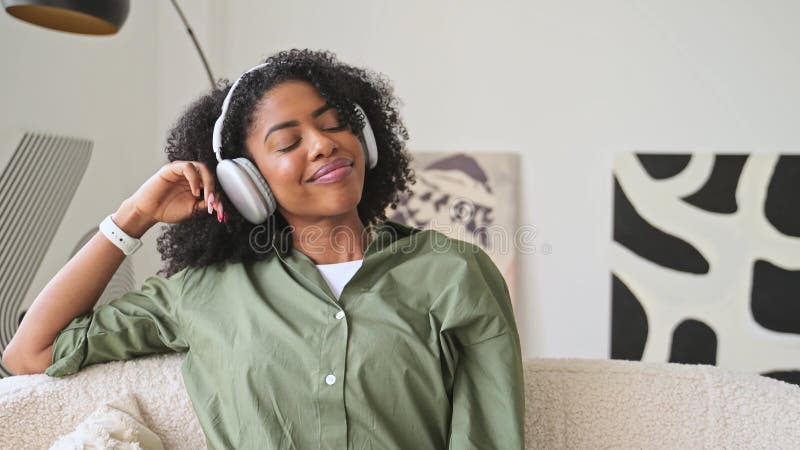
x=247 y=189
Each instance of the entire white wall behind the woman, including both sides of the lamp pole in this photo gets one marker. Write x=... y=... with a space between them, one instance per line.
x=566 y=84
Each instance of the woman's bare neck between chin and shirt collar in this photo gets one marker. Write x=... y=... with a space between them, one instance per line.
x=330 y=239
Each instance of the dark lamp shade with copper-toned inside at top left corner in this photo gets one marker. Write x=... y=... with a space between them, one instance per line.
x=75 y=16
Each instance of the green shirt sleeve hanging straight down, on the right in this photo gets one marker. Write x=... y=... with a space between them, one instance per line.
x=481 y=348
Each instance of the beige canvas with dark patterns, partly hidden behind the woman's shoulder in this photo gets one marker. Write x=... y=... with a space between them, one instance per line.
x=471 y=197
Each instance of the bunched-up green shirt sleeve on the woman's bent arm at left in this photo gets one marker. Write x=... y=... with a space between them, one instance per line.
x=141 y=322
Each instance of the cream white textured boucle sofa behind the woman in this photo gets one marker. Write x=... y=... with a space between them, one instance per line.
x=570 y=404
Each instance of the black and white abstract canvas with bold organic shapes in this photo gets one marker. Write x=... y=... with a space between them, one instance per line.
x=706 y=261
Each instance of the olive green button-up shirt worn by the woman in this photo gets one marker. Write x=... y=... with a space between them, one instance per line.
x=420 y=352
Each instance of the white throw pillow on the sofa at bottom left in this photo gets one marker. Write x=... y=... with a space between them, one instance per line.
x=116 y=425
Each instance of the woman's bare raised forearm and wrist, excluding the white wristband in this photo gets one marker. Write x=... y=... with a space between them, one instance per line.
x=73 y=291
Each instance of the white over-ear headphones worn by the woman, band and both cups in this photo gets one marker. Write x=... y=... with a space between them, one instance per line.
x=243 y=183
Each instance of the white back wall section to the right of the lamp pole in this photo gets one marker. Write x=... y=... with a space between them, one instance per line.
x=566 y=84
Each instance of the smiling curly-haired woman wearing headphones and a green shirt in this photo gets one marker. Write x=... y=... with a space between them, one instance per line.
x=325 y=326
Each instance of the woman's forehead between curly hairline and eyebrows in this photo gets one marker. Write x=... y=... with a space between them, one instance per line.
x=290 y=100
